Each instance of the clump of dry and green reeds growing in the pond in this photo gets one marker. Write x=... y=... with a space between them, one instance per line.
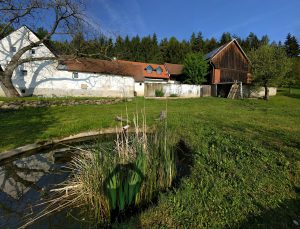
x=128 y=174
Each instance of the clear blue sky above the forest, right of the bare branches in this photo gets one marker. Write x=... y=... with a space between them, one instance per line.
x=180 y=18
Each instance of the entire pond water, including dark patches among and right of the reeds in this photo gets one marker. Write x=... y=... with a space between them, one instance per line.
x=26 y=181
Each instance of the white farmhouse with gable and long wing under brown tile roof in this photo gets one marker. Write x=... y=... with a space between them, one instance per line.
x=69 y=77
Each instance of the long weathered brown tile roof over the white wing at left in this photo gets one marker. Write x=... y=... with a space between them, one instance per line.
x=103 y=66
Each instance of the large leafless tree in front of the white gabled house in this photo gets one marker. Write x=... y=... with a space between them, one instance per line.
x=63 y=15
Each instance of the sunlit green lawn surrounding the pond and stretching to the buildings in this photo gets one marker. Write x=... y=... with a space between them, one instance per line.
x=246 y=156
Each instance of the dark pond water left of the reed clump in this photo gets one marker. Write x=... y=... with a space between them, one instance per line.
x=25 y=182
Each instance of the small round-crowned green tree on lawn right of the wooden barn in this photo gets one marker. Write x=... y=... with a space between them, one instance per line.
x=270 y=65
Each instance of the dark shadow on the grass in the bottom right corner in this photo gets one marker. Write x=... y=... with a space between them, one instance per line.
x=286 y=215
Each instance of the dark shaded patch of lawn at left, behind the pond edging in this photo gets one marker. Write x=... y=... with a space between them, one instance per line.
x=19 y=127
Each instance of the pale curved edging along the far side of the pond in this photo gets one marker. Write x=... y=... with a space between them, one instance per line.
x=43 y=145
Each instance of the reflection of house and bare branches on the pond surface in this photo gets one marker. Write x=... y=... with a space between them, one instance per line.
x=24 y=182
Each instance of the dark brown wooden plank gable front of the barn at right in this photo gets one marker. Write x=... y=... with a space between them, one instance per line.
x=229 y=64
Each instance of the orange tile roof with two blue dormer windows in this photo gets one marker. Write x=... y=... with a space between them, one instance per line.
x=153 y=74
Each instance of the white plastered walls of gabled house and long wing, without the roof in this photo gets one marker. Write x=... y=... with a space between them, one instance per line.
x=44 y=79
